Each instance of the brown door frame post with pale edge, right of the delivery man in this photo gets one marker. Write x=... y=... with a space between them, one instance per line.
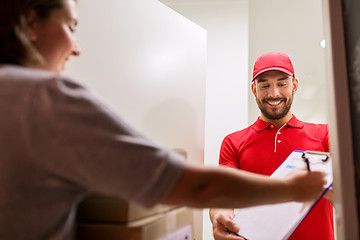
x=346 y=213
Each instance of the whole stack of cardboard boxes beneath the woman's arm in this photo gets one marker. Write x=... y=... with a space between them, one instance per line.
x=102 y=217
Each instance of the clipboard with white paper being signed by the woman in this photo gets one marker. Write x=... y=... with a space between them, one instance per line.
x=280 y=220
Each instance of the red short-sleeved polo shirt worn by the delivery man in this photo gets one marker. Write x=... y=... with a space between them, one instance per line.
x=262 y=147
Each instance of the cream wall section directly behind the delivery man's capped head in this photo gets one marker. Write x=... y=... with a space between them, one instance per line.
x=296 y=28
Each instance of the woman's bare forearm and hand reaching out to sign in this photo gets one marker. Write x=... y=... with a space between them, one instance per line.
x=205 y=187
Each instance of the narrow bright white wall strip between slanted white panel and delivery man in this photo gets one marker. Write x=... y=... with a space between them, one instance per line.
x=226 y=22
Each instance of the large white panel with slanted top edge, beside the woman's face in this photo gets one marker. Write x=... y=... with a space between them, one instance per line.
x=149 y=63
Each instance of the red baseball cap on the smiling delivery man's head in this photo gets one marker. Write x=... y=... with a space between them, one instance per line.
x=273 y=61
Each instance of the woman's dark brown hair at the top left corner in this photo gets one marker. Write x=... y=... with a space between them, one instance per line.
x=15 y=45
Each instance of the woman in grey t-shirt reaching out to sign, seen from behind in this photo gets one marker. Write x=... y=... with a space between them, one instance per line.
x=59 y=142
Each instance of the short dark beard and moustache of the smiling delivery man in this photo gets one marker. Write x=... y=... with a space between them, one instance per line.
x=275 y=115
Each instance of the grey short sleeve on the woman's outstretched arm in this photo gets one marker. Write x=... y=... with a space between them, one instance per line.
x=85 y=146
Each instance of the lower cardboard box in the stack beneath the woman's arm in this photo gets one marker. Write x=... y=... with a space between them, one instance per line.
x=159 y=226
